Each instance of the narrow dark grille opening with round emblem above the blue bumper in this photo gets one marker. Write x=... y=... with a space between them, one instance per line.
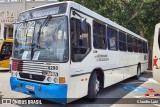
x=32 y=76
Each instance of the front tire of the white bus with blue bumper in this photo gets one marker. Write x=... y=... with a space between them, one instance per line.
x=93 y=87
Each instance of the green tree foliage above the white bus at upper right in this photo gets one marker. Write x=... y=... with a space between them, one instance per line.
x=139 y=16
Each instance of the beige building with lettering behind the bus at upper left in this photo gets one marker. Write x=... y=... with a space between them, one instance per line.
x=9 y=11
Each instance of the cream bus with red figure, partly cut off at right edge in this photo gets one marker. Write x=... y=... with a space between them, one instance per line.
x=156 y=55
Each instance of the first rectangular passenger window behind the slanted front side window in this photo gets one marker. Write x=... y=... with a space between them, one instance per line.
x=99 y=41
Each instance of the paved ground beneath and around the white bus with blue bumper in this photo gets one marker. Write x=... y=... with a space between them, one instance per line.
x=123 y=93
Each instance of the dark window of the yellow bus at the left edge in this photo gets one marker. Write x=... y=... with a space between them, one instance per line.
x=6 y=51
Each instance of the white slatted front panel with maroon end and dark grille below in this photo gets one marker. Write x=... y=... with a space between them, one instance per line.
x=31 y=70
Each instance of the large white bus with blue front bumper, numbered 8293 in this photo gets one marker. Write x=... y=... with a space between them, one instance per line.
x=64 y=51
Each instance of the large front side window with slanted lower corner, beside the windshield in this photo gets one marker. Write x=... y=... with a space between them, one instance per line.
x=80 y=42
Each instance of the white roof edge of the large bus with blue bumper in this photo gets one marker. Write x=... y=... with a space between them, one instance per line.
x=92 y=14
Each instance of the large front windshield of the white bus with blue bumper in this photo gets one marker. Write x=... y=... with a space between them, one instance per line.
x=42 y=39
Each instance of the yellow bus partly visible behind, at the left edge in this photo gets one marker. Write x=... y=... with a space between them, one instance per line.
x=5 y=54
